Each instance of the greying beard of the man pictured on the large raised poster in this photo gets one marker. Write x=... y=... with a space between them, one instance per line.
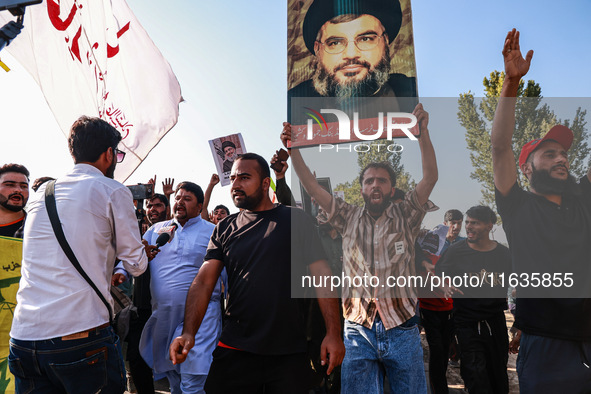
x=326 y=83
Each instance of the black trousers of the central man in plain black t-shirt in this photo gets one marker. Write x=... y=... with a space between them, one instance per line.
x=235 y=371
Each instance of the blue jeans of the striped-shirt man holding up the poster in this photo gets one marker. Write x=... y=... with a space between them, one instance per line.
x=372 y=352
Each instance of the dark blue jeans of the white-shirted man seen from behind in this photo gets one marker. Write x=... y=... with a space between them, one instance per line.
x=87 y=365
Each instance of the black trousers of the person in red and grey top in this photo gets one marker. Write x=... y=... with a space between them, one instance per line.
x=439 y=330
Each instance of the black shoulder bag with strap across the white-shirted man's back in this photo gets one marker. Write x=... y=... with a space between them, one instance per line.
x=124 y=308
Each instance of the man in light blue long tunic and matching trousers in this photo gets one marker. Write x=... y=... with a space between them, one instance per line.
x=172 y=269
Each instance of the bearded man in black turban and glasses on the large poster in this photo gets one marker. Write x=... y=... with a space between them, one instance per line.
x=350 y=43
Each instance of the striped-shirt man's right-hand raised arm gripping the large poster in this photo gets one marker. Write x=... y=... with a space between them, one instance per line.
x=429 y=162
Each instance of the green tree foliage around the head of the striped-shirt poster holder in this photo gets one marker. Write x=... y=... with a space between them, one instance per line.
x=377 y=153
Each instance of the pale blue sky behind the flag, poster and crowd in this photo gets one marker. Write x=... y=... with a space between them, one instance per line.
x=231 y=60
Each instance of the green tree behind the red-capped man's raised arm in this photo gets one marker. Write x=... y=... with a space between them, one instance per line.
x=532 y=120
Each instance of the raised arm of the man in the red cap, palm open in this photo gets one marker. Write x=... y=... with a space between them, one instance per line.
x=505 y=173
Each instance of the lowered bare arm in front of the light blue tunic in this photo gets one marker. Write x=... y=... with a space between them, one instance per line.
x=195 y=308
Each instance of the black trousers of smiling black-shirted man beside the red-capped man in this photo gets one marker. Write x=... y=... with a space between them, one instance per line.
x=484 y=347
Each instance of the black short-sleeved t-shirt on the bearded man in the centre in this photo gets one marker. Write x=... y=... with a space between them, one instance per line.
x=264 y=252
